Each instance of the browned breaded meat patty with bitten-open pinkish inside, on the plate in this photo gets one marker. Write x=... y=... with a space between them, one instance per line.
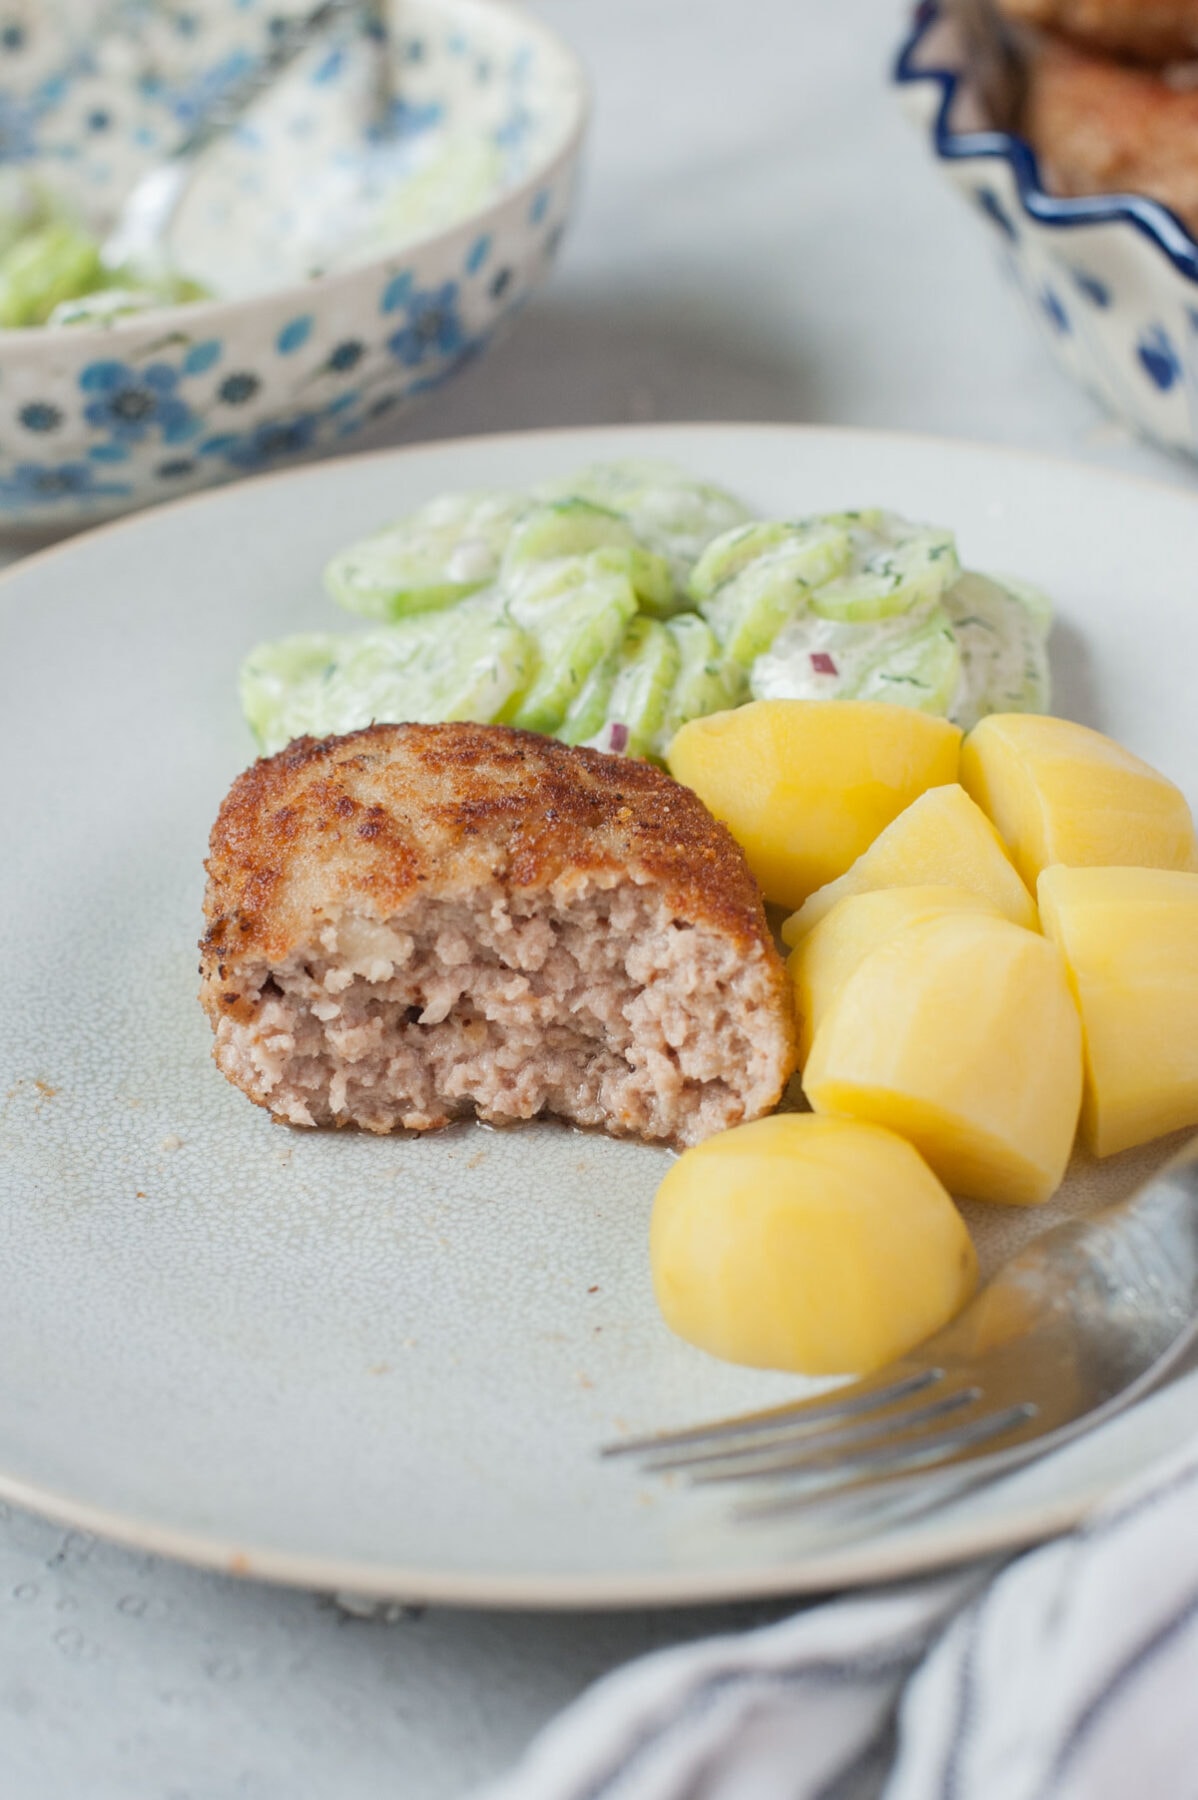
x=422 y=922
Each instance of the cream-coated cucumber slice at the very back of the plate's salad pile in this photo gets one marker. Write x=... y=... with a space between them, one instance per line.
x=670 y=512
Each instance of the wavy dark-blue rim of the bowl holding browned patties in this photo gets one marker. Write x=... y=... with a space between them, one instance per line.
x=1152 y=219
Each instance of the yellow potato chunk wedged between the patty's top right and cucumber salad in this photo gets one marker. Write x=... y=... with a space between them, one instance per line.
x=807 y=786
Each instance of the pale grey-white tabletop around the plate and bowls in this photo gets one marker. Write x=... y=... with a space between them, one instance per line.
x=760 y=237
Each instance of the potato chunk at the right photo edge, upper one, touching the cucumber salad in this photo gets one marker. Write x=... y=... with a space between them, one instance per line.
x=1062 y=793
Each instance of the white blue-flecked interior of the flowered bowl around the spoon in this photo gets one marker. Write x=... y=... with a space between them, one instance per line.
x=94 y=96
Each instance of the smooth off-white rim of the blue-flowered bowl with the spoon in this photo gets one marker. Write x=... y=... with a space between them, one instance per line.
x=163 y=318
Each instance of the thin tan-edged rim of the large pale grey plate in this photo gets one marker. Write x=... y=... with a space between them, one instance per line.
x=859 y=1563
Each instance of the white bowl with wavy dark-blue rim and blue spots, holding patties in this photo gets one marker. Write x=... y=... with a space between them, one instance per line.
x=1113 y=282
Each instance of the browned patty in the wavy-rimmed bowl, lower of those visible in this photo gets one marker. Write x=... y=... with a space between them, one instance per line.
x=1102 y=129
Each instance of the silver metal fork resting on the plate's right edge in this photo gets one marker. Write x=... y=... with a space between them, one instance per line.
x=1068 y=1335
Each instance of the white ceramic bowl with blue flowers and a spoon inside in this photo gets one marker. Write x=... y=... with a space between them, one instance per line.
x=96 y=420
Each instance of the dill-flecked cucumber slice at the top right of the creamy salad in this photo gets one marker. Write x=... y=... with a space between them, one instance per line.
x=895 y=568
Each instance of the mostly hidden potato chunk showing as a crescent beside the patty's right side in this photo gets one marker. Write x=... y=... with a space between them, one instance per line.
x=823 y=962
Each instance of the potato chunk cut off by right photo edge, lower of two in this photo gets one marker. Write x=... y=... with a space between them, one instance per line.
x=1131 y=940
